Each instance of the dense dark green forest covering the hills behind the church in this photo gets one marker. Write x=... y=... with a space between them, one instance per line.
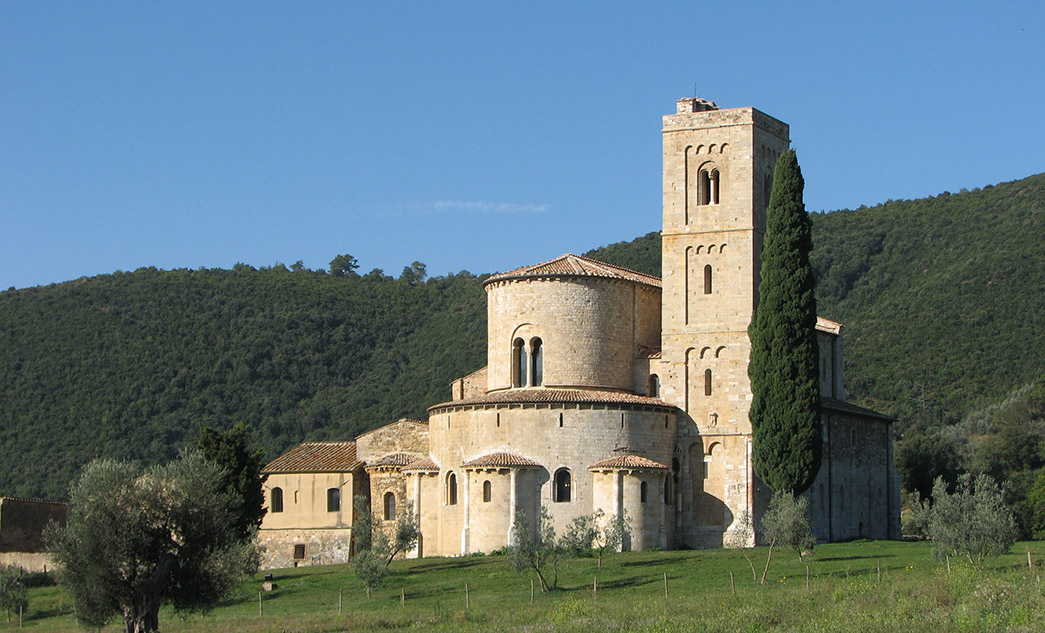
x=942 y=299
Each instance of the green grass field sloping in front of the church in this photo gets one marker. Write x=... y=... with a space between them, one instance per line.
x=844 y=594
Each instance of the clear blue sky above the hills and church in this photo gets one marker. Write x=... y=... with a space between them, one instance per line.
x=476 y=136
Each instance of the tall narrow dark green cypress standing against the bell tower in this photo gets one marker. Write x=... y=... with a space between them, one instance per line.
x=783 y=368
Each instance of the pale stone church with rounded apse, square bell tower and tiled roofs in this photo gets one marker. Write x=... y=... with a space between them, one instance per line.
x=609 y=390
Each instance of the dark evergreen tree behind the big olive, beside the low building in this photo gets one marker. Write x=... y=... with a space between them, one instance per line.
x=243 y=474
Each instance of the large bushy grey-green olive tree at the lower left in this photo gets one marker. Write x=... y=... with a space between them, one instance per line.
x=138 y=538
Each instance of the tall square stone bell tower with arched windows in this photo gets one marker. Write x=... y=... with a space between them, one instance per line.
x=718 y=169
